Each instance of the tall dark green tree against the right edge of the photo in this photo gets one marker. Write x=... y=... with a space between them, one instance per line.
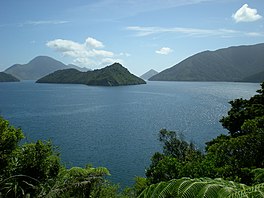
x=235 y=155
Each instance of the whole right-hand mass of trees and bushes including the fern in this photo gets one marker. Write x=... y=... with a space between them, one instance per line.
x=237 y=156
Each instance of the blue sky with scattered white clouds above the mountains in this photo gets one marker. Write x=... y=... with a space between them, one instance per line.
x=141 y=35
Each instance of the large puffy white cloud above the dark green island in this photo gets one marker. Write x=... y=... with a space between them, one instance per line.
x=84 y=54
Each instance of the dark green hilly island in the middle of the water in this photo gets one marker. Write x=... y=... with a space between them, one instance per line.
x=113 y=75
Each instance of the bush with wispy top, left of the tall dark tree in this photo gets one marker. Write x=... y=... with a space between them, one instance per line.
x=179 y=159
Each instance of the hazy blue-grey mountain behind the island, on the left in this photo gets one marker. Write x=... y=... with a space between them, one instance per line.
x=36 y=68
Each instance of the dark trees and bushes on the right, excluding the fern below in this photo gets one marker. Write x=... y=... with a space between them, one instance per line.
x=233 y=156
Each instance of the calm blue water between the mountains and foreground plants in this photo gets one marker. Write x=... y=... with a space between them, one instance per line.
x=117 y=127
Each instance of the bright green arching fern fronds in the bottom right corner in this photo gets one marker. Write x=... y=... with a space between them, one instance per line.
x=202 y=187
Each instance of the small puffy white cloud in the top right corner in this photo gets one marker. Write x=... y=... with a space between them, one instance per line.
x=246 y=14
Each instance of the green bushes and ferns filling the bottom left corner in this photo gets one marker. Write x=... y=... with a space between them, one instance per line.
x=34 y=169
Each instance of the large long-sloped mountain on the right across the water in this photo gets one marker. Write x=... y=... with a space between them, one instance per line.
x=228 y=64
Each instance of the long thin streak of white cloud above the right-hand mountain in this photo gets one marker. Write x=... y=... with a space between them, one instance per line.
x=189 y=32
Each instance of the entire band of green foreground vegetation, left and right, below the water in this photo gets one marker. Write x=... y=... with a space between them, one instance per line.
x=231 y=166
